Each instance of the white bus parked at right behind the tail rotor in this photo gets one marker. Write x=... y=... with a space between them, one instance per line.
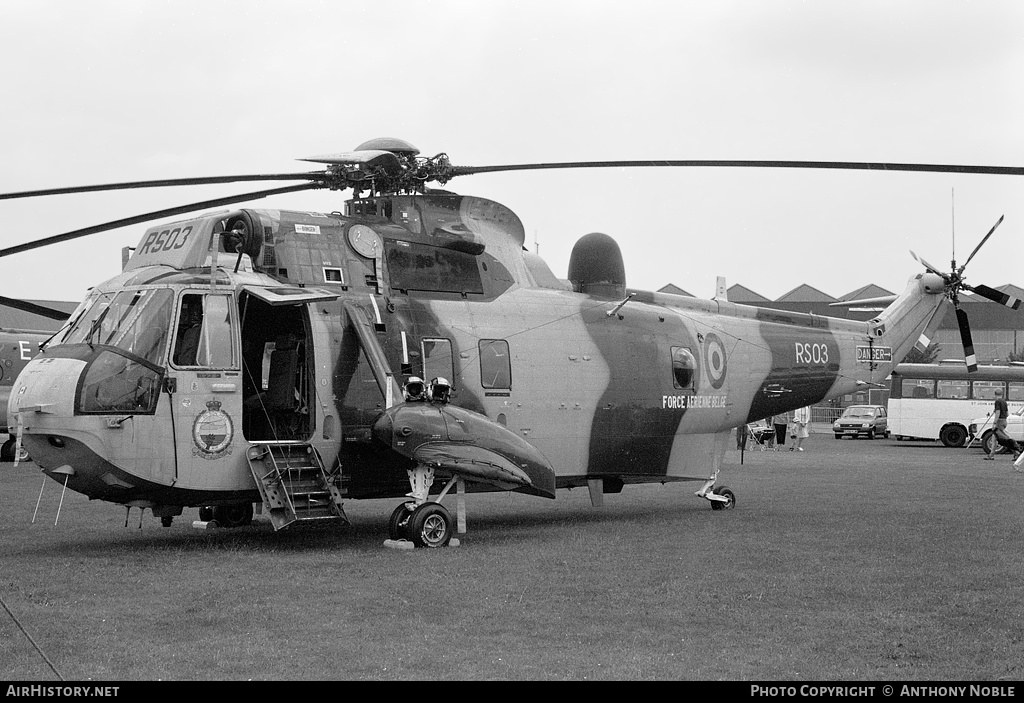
x=940 y=401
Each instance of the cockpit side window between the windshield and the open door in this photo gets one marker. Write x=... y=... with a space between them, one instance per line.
x=204 y=336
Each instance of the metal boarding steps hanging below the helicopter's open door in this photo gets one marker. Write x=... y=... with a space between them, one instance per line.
x=294 y=485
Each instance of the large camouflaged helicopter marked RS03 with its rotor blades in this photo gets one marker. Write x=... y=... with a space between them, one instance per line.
x=412 y=347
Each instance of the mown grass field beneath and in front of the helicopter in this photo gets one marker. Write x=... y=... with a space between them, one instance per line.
x=855 y=560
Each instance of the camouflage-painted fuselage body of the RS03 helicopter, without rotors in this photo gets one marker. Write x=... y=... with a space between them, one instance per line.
x=440 y=285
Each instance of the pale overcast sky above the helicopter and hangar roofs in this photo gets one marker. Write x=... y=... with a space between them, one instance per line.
x=105 y=92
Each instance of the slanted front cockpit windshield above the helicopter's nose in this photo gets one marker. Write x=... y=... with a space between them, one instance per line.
x=137 y=322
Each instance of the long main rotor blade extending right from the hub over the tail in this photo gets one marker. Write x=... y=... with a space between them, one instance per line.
x=840 y=165
